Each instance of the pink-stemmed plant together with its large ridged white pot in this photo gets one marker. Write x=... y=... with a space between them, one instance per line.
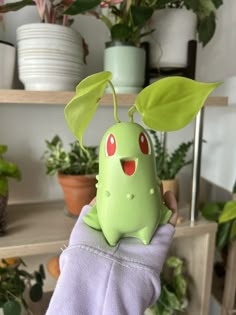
x=51 y=55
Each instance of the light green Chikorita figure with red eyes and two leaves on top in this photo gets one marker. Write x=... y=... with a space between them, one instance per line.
x=128 y=201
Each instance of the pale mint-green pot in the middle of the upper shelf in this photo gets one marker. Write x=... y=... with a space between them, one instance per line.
x=127 y=65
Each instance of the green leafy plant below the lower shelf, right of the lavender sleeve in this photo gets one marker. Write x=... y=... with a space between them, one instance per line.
x=173 y=295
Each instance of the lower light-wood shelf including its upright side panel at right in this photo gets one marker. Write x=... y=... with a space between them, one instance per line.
x=43 y=228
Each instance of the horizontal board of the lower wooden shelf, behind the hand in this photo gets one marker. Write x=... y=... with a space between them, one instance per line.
x=41 y=228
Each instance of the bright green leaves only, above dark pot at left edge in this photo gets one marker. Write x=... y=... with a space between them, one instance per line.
x=7 y=169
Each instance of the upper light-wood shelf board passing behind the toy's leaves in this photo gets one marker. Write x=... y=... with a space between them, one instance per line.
x=63 y=97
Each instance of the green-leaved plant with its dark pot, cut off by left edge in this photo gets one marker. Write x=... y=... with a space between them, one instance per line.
x=7 y=169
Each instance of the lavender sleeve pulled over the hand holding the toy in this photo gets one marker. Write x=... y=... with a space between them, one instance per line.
x=97 y=279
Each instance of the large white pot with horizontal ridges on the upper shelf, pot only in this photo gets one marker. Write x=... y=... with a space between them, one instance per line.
x=50 y=57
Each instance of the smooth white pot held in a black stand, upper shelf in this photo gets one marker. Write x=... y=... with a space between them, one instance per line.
x=169 y=42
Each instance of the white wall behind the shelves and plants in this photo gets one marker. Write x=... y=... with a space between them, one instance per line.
x=24 y=128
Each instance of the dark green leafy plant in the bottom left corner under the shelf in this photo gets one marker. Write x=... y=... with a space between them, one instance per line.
x=14 y=280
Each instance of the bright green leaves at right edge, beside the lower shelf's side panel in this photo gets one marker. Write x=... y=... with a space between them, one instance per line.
x=224 y=213
